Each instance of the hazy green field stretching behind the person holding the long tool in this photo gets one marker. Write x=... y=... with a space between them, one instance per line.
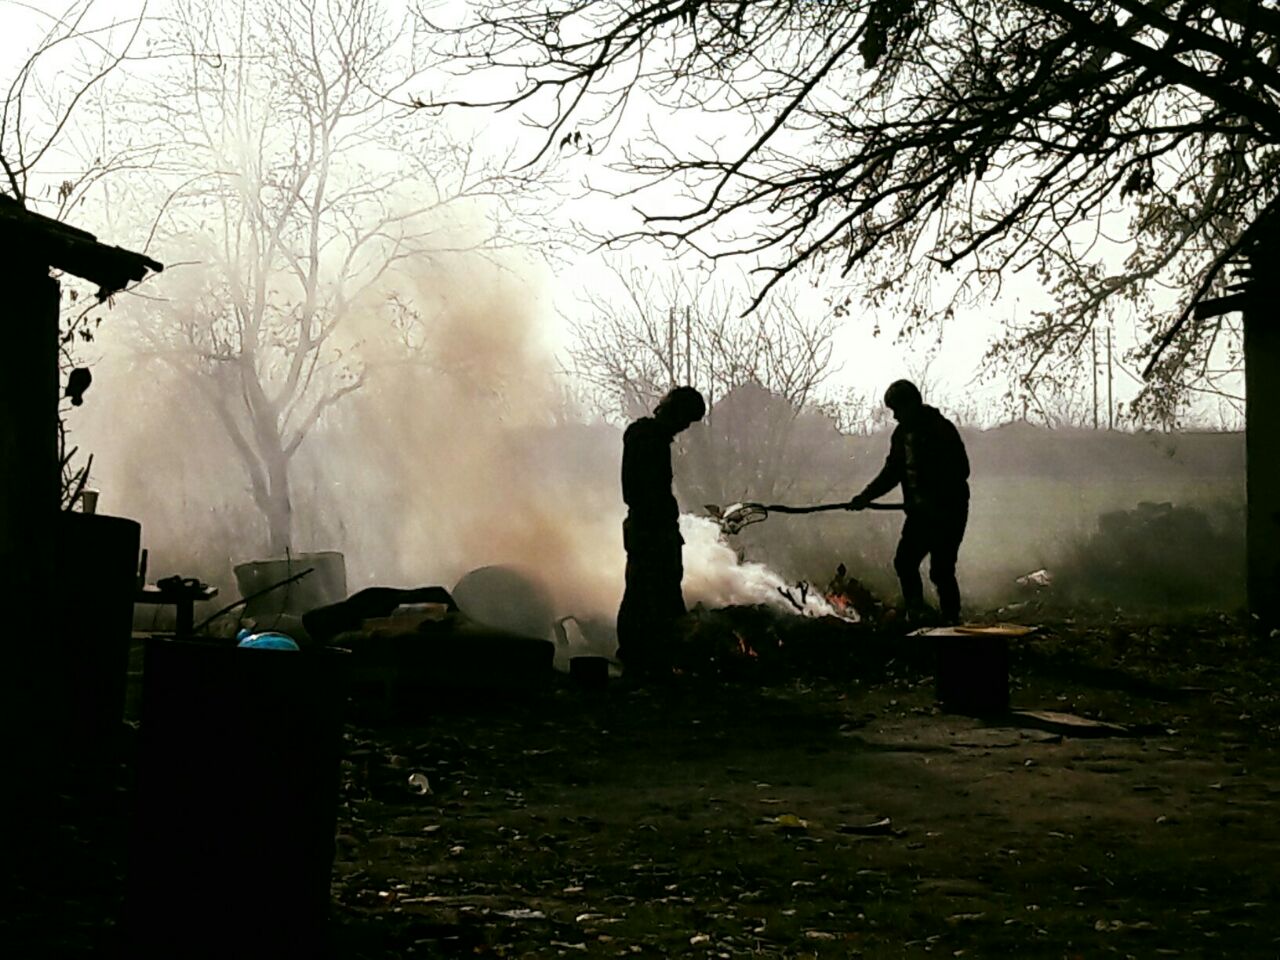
x=1037 y=497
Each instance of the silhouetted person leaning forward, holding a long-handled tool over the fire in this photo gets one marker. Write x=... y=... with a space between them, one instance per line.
x=927 y=458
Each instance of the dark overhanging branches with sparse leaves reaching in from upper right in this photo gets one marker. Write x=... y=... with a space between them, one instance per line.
x=1112 y=147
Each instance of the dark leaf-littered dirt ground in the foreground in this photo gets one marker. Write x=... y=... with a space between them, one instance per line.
x=717 y=820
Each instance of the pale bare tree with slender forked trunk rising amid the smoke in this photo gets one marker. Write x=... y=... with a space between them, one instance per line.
x=299 y=193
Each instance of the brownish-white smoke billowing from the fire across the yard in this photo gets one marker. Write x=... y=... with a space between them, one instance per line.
x=461 y=451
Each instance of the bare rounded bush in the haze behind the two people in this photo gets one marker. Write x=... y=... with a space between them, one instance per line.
x=760 y=373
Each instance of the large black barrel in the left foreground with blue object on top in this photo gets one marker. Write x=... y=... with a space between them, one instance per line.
x=236 y=811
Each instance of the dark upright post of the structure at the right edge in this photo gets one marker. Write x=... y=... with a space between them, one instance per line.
x=1263 y=433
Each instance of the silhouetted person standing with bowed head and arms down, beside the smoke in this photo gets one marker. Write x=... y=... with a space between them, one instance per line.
x=653 y=602
